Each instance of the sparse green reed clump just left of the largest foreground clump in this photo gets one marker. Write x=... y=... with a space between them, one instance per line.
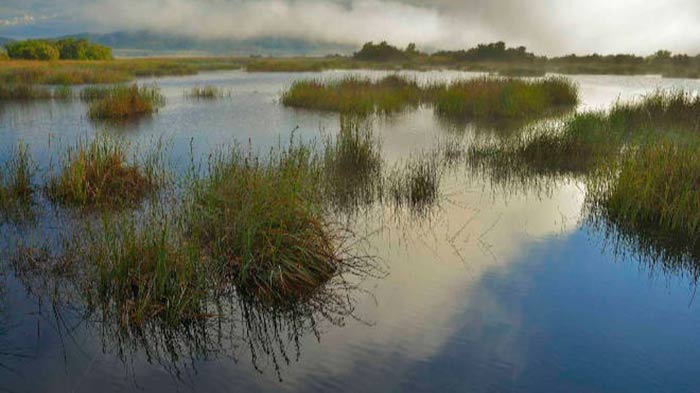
x=141 y=269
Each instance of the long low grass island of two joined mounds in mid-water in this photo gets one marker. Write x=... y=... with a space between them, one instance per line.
x=478 y=99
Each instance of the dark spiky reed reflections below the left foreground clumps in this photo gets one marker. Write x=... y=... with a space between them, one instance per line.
x=238 y=322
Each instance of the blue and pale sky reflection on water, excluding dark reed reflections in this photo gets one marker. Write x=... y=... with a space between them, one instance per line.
x=495 y=293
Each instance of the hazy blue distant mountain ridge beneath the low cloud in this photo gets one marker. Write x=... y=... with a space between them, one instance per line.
x=154 y=43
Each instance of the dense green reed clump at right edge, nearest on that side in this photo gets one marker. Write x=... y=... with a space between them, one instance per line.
x=654 y=185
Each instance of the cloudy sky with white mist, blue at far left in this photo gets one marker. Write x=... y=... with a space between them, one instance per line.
x=552 y=27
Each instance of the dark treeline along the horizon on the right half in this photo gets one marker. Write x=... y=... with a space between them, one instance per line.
x=498 y=56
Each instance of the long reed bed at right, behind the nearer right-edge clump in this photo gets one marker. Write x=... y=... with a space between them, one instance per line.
x=590 y=140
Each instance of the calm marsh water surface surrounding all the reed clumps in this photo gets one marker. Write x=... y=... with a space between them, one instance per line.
x=492 y=289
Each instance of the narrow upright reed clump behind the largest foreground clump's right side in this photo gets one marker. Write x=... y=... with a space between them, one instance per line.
x=353 y=164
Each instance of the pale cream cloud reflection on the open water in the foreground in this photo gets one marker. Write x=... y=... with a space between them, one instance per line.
x=435 y=276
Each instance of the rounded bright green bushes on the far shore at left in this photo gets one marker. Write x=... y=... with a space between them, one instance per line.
x=62 y=49
